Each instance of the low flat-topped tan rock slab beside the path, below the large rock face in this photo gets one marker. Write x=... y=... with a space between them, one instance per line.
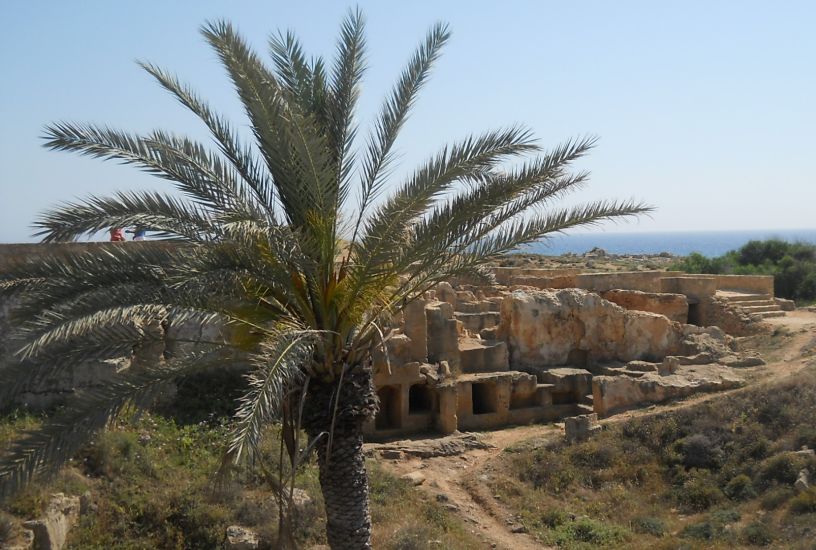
x=614 y=393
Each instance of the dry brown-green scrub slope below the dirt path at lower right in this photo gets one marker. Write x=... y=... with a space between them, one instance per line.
x=718 y=474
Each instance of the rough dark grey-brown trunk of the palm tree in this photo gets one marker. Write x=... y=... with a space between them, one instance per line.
x=339 y=434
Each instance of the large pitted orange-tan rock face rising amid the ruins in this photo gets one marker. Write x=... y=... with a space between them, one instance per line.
x=572 y=326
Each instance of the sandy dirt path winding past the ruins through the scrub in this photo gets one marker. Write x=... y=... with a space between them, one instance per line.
x=459 y=481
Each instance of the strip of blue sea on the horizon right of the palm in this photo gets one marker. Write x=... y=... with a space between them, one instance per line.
x=707 y=243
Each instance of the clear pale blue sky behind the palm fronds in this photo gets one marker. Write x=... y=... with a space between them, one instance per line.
x=706 y=110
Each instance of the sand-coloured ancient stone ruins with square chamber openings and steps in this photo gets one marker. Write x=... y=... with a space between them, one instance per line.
x=538 y=345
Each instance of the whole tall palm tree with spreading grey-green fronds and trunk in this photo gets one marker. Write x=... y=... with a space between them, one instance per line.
x=297 y=242
